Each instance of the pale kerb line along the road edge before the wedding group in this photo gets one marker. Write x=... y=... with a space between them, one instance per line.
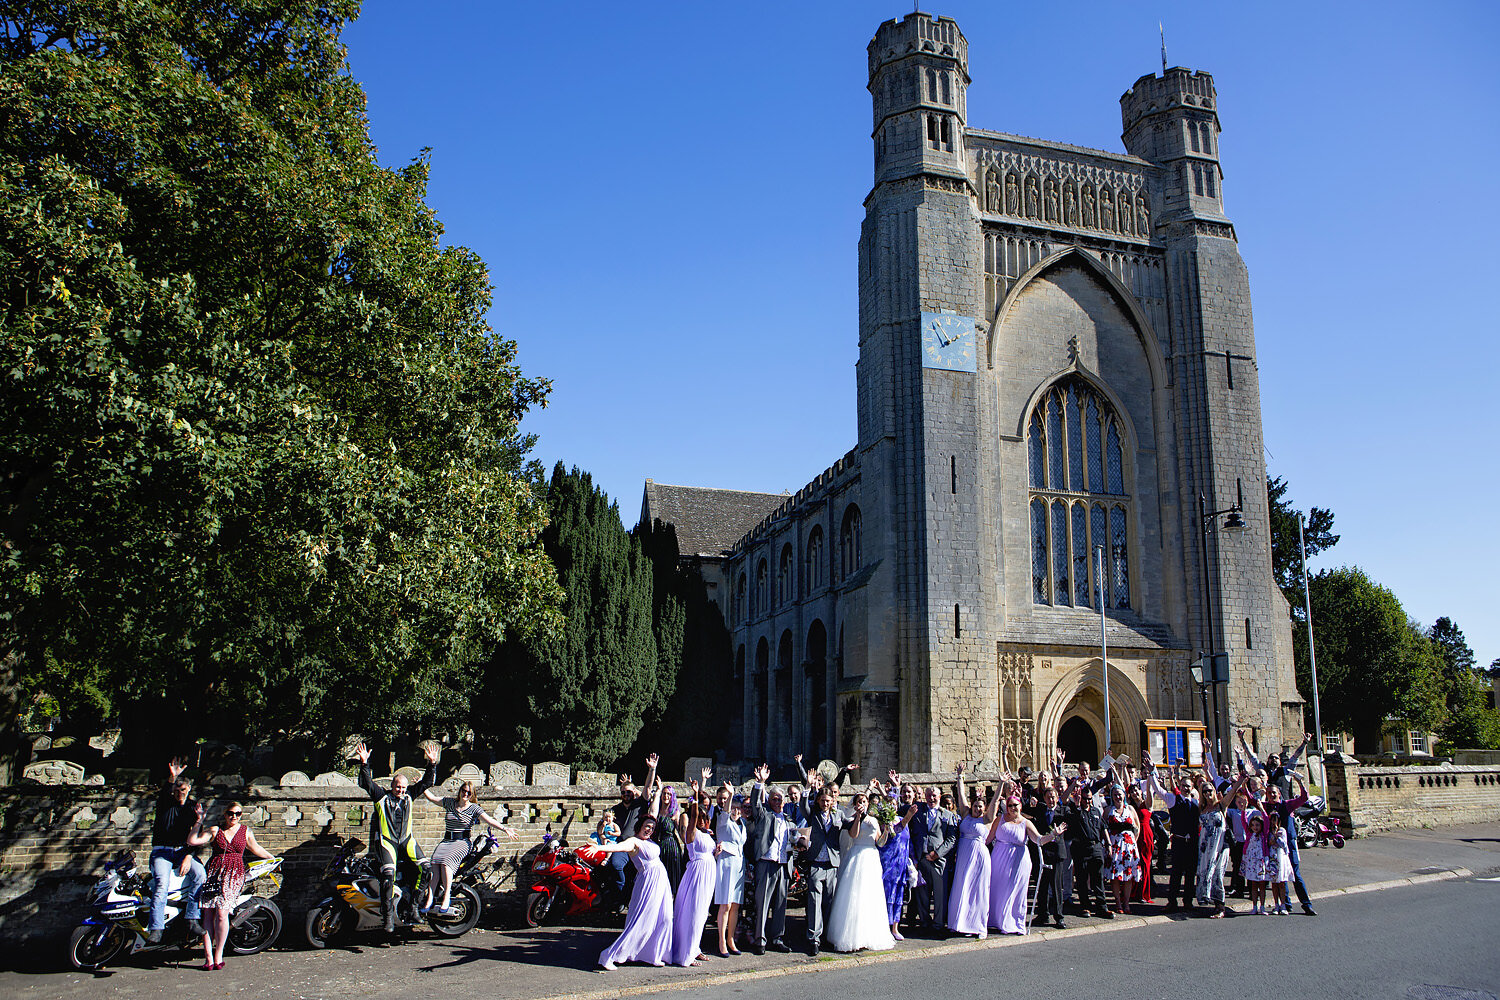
x=962 y=947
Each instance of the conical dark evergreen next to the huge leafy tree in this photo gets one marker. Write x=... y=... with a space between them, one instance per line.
x=584 y=693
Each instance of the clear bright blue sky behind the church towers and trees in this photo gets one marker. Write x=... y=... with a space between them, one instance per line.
x=670 y=199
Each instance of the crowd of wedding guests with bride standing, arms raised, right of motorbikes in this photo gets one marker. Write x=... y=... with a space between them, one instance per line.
x=946 y=860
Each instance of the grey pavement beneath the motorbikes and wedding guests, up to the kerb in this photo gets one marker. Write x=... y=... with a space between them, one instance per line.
x=559 y=962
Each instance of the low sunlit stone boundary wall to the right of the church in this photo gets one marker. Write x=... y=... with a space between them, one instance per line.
x=1393 y=798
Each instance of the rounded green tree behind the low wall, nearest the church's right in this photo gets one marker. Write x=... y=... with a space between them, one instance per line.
x=1373 y=663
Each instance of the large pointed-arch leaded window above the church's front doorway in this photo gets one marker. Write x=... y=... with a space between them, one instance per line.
x=1076 y=455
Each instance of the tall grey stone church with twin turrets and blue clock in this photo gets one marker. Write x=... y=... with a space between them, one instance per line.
x=1057 y=364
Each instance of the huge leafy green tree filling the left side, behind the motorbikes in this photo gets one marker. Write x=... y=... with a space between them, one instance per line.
x=259 y=449
